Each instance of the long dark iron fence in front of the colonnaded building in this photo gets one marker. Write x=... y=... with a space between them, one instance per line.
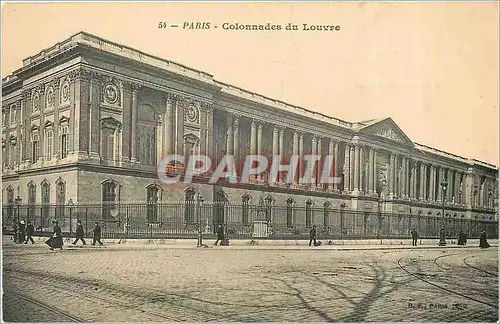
x=186 y=220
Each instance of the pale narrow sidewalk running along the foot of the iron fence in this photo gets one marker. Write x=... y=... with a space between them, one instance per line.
x=385 y=244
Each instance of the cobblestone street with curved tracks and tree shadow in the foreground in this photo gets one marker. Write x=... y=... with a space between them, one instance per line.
x=134 y=283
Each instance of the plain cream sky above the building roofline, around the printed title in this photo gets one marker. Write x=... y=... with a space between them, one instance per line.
x=431 y=67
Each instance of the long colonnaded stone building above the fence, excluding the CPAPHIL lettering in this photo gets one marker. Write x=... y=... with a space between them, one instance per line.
x=89 y=120
